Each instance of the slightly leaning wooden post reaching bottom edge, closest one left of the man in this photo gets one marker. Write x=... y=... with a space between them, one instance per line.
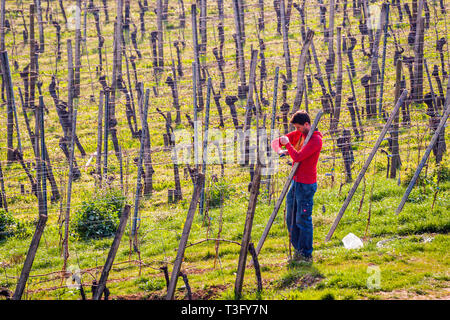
x=254 y=191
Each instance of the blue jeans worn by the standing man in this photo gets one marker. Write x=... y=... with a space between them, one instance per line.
x=299 y=203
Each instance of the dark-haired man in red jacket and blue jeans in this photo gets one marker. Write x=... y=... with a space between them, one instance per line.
x=299 y=200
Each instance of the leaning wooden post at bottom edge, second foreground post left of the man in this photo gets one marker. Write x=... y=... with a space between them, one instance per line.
x=198 y=186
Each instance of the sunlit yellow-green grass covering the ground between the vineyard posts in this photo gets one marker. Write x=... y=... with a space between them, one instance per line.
x=404 y=256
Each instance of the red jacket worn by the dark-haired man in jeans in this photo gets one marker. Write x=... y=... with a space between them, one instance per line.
x=308 y=156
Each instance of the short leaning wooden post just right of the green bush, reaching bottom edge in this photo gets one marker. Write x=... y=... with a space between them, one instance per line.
x=112 y=253
